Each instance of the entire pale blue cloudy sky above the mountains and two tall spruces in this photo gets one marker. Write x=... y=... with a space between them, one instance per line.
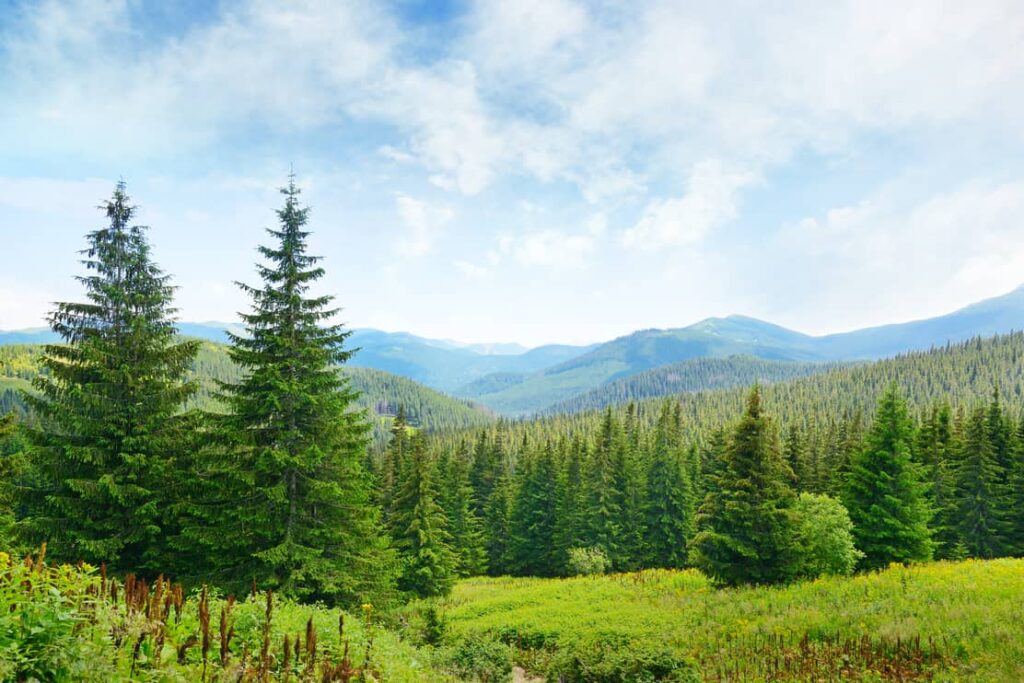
x=528 y=172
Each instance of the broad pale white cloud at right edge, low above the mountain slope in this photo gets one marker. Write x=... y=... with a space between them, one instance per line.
x=883 y=261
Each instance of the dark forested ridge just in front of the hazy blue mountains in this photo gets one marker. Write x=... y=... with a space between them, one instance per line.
x=690 y=376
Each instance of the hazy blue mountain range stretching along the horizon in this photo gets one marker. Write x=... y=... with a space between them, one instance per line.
x=516 y=381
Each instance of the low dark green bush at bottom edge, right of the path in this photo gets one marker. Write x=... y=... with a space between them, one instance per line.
x=631 y=663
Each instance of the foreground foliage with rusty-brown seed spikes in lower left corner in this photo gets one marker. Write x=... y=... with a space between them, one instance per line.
x=67 y=624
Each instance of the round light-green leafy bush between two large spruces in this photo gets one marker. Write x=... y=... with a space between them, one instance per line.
x=824 y=538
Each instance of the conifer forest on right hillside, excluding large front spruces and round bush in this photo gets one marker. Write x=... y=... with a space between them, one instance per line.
x=598 y=480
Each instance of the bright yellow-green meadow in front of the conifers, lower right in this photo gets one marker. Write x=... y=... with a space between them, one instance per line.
x=946 y=622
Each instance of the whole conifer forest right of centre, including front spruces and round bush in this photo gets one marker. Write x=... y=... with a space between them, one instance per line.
x=644 y=486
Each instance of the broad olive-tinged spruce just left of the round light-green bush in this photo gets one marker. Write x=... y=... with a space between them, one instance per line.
x=748 y=534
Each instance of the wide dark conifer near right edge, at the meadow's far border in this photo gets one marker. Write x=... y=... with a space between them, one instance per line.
x=982 y=494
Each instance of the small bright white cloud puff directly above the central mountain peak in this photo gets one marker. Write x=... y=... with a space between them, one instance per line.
x=712 y=199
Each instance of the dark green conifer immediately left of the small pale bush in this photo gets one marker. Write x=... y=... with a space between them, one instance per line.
x=533 y=519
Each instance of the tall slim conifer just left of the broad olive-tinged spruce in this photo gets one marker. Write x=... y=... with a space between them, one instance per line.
x=670 y=504
